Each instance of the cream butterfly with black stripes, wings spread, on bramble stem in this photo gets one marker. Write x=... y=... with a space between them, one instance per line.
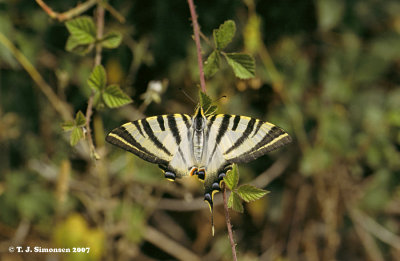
x=202 y=145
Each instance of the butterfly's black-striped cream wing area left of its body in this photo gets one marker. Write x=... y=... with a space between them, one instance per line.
x=162 y=140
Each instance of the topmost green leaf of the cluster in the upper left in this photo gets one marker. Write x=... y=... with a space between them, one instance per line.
x=82 y=29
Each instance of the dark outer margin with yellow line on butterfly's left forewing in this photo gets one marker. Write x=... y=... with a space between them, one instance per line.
x=123 y=139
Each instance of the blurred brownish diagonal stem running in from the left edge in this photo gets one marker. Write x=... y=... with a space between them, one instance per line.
x=57 y=103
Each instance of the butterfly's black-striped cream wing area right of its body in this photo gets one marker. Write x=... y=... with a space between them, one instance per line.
x=238 y=139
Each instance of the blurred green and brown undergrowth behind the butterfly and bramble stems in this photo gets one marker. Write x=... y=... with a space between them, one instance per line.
x=328 y=72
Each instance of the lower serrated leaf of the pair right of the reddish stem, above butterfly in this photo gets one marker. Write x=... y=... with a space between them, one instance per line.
x=243 y=65
